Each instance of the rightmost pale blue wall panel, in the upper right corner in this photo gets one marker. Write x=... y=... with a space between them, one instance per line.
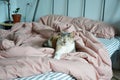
x=112 y=11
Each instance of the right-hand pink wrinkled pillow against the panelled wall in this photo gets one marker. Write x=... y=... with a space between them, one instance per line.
x=99 y=29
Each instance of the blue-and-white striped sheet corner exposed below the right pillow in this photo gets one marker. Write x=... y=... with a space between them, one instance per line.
x=111 y=45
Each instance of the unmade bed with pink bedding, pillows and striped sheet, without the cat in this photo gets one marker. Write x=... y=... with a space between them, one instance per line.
x=22 y=55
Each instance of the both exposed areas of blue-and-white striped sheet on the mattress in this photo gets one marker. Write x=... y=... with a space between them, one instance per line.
x=111 y=45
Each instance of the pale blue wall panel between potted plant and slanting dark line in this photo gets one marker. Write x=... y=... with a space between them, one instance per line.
x=27 y=9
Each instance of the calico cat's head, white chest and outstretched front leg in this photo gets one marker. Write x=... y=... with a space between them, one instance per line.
x=65 y=44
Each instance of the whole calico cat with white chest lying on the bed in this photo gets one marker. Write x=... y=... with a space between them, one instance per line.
x=62 y=43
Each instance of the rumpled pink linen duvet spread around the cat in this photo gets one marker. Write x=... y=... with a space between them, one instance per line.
x=26 y=56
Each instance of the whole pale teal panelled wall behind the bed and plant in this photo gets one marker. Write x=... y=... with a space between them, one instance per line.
x=93 y=9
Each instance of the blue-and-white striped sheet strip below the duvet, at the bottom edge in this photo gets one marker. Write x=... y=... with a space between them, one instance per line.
x=48 y=76
